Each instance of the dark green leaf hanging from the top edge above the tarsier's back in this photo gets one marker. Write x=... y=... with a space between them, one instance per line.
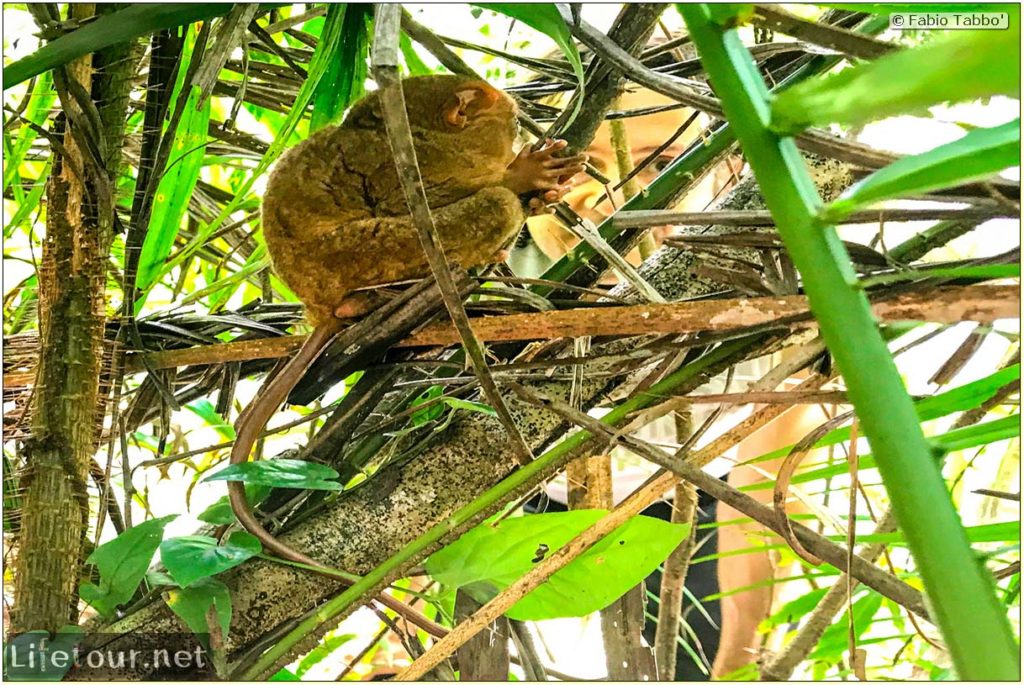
x=345 y=80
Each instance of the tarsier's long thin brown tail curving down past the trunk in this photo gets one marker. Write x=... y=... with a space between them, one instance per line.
x=248 y=430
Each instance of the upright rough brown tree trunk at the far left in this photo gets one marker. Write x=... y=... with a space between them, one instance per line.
x=80 y=197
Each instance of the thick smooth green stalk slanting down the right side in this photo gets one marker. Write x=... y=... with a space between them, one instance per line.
x=967 y=611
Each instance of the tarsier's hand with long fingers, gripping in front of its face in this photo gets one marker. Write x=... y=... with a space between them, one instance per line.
x=540 y=170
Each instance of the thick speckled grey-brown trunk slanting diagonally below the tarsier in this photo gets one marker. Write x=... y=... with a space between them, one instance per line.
x=368 y=525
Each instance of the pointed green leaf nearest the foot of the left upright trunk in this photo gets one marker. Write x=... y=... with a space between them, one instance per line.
x=122 y=564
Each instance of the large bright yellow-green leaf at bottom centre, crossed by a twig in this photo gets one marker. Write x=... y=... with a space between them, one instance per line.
x=490 y=559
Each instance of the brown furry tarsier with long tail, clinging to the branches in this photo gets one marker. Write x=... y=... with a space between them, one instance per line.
x=336 y=221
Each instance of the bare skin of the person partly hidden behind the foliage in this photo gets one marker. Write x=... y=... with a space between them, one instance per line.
x=743 y=612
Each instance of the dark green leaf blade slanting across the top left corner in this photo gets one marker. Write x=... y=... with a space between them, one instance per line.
x=134 y=21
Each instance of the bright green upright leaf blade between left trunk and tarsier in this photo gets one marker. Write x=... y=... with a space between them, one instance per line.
x=175 y=190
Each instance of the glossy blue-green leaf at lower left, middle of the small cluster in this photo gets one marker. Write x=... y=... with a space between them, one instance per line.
x=192 y=559
